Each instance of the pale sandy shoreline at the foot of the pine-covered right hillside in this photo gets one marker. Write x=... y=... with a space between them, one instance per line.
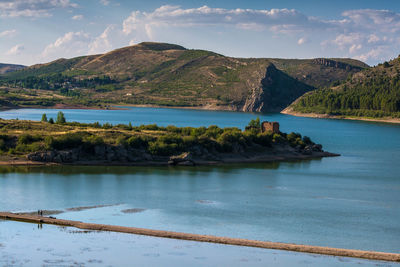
x=338 y=117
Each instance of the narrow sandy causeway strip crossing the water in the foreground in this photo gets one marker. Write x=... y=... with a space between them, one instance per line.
x=371 y=255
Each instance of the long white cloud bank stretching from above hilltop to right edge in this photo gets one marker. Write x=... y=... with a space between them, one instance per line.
x=361 y=33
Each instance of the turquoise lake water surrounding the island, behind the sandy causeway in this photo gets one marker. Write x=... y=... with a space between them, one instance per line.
x=350 y=201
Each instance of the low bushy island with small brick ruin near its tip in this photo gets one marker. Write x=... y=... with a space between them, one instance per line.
x=60 y=142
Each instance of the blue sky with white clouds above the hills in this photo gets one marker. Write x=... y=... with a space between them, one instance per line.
x=39 y=31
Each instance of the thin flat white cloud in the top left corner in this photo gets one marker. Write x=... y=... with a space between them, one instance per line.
x=32 y=8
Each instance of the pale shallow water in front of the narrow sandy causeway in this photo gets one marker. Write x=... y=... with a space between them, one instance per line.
x=29 y=245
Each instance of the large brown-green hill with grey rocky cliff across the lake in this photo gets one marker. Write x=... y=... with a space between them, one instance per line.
x=171 y=75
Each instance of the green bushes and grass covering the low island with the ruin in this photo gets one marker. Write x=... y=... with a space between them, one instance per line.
x=152 y=139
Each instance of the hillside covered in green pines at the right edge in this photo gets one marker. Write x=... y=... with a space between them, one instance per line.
x=373 y=92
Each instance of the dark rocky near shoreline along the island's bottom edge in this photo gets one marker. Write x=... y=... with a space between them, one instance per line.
x=226 y=161
